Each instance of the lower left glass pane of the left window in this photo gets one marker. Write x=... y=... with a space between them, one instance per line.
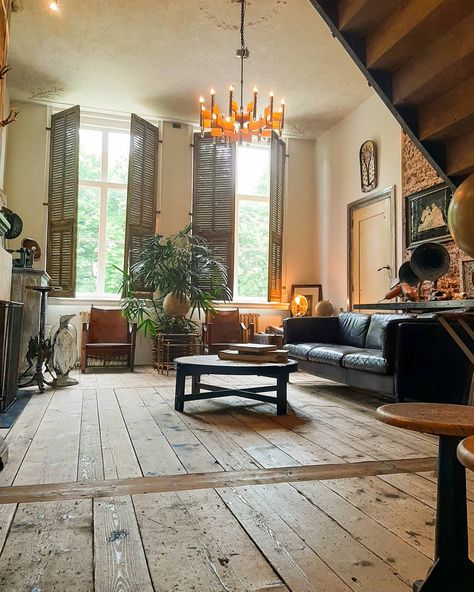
x=87 y=239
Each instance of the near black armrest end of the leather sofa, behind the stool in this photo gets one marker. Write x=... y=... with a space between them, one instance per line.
x=429 y=366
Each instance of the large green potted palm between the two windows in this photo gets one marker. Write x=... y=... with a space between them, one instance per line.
x=184 y=278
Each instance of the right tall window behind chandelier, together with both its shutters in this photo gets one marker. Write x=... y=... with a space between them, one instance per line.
x=238 y=199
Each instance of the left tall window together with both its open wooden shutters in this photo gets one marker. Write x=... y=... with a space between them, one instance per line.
x=98 y=214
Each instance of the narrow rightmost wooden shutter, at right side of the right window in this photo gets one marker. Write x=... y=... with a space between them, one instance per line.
x=277 y=193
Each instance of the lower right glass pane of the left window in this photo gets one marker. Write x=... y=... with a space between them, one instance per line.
x=115 y=239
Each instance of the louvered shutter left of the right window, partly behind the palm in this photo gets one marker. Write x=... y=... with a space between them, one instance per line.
x=214 y=199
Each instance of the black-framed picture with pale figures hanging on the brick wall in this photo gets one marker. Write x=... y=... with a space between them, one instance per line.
x=427 y=216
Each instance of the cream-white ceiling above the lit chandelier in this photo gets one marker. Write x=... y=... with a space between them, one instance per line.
x=155 y=57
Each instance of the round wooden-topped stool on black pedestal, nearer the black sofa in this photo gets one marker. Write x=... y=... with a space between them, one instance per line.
x=452 y=568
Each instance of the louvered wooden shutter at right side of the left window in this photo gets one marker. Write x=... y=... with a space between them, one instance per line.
x=141 y=191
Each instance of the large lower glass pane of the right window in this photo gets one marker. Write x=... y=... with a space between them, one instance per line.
x=252 y=249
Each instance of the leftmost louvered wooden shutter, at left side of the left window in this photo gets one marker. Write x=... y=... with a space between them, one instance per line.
x=62 y=200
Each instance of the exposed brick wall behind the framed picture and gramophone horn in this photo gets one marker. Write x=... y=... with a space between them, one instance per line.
x=418 y=174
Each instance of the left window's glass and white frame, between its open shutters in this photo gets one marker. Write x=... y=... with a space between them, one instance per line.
x=102 y=204
